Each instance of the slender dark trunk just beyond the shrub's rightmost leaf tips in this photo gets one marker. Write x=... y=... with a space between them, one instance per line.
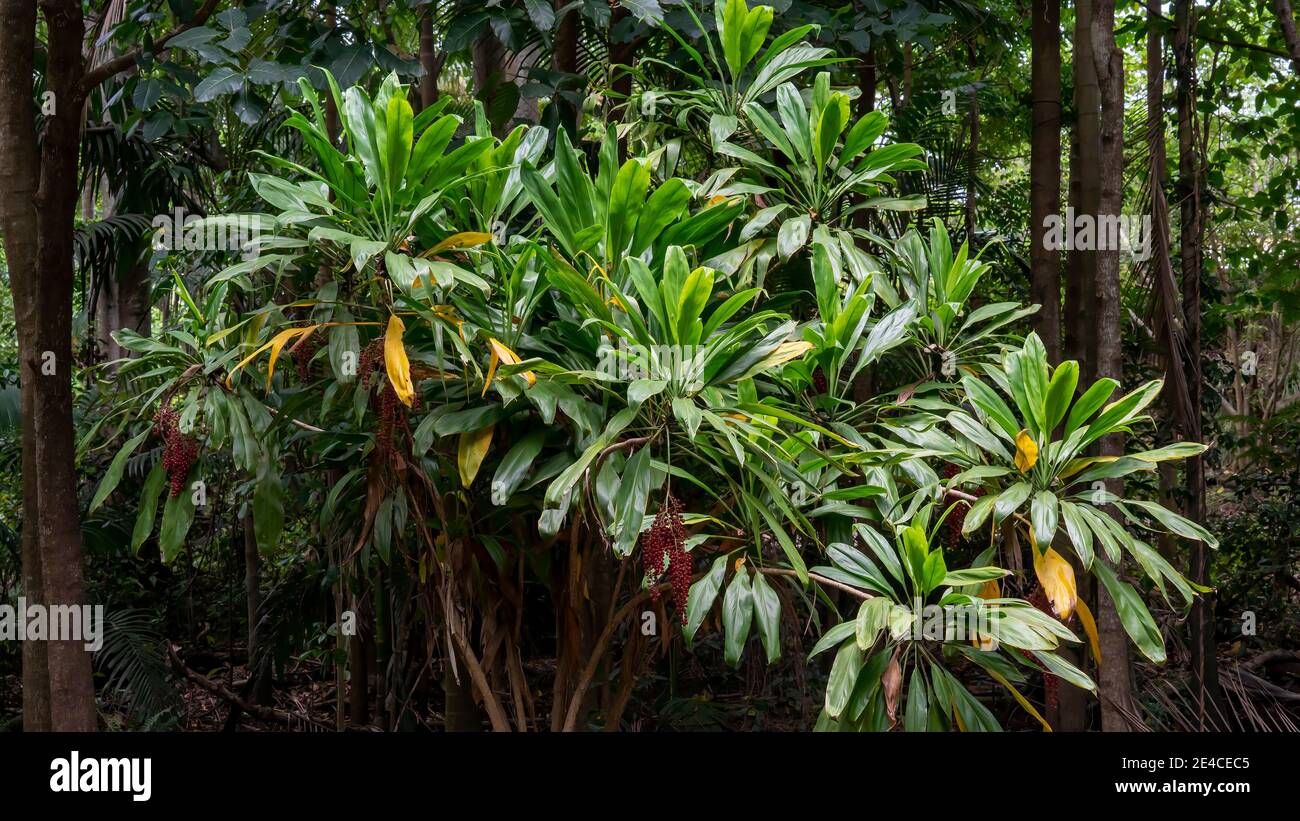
x=1202 y=622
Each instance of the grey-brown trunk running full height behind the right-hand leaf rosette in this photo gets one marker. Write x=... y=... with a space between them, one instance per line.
x=1116 y=685
